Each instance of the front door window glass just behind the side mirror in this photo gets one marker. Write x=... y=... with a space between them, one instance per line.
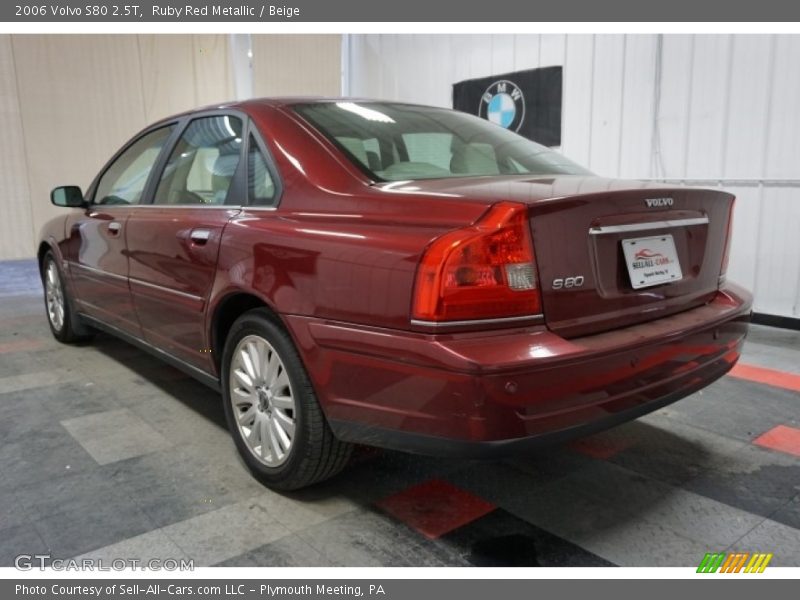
x=124 y=181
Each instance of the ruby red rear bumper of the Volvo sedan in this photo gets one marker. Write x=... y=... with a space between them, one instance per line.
x=505 y=392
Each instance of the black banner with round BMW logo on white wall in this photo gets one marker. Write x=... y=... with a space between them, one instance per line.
x=528 y=102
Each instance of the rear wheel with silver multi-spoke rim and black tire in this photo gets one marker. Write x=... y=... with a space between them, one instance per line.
x=271 y=408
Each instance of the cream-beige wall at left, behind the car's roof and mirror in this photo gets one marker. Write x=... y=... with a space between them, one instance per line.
x=68 y=102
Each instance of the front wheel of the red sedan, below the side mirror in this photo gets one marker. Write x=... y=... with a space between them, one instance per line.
x=64 y=322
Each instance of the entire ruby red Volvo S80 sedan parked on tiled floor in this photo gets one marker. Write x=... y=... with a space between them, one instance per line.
x=349 y=271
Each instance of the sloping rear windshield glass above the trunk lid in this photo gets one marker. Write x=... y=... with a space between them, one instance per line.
x=398 y=142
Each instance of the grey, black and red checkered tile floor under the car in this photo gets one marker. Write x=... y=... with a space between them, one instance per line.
x=105 y=451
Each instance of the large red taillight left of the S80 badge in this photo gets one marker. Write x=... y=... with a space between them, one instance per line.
x=483 y=271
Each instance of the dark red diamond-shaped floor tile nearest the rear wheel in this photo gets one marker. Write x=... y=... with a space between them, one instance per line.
x=435 y=507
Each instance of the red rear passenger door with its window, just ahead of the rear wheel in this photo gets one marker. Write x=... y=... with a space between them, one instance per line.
x=173 y=242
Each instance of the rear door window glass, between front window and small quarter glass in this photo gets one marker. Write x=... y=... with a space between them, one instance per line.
x=201 y=167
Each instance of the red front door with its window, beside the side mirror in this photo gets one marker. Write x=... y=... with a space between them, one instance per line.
x=95 y=246
